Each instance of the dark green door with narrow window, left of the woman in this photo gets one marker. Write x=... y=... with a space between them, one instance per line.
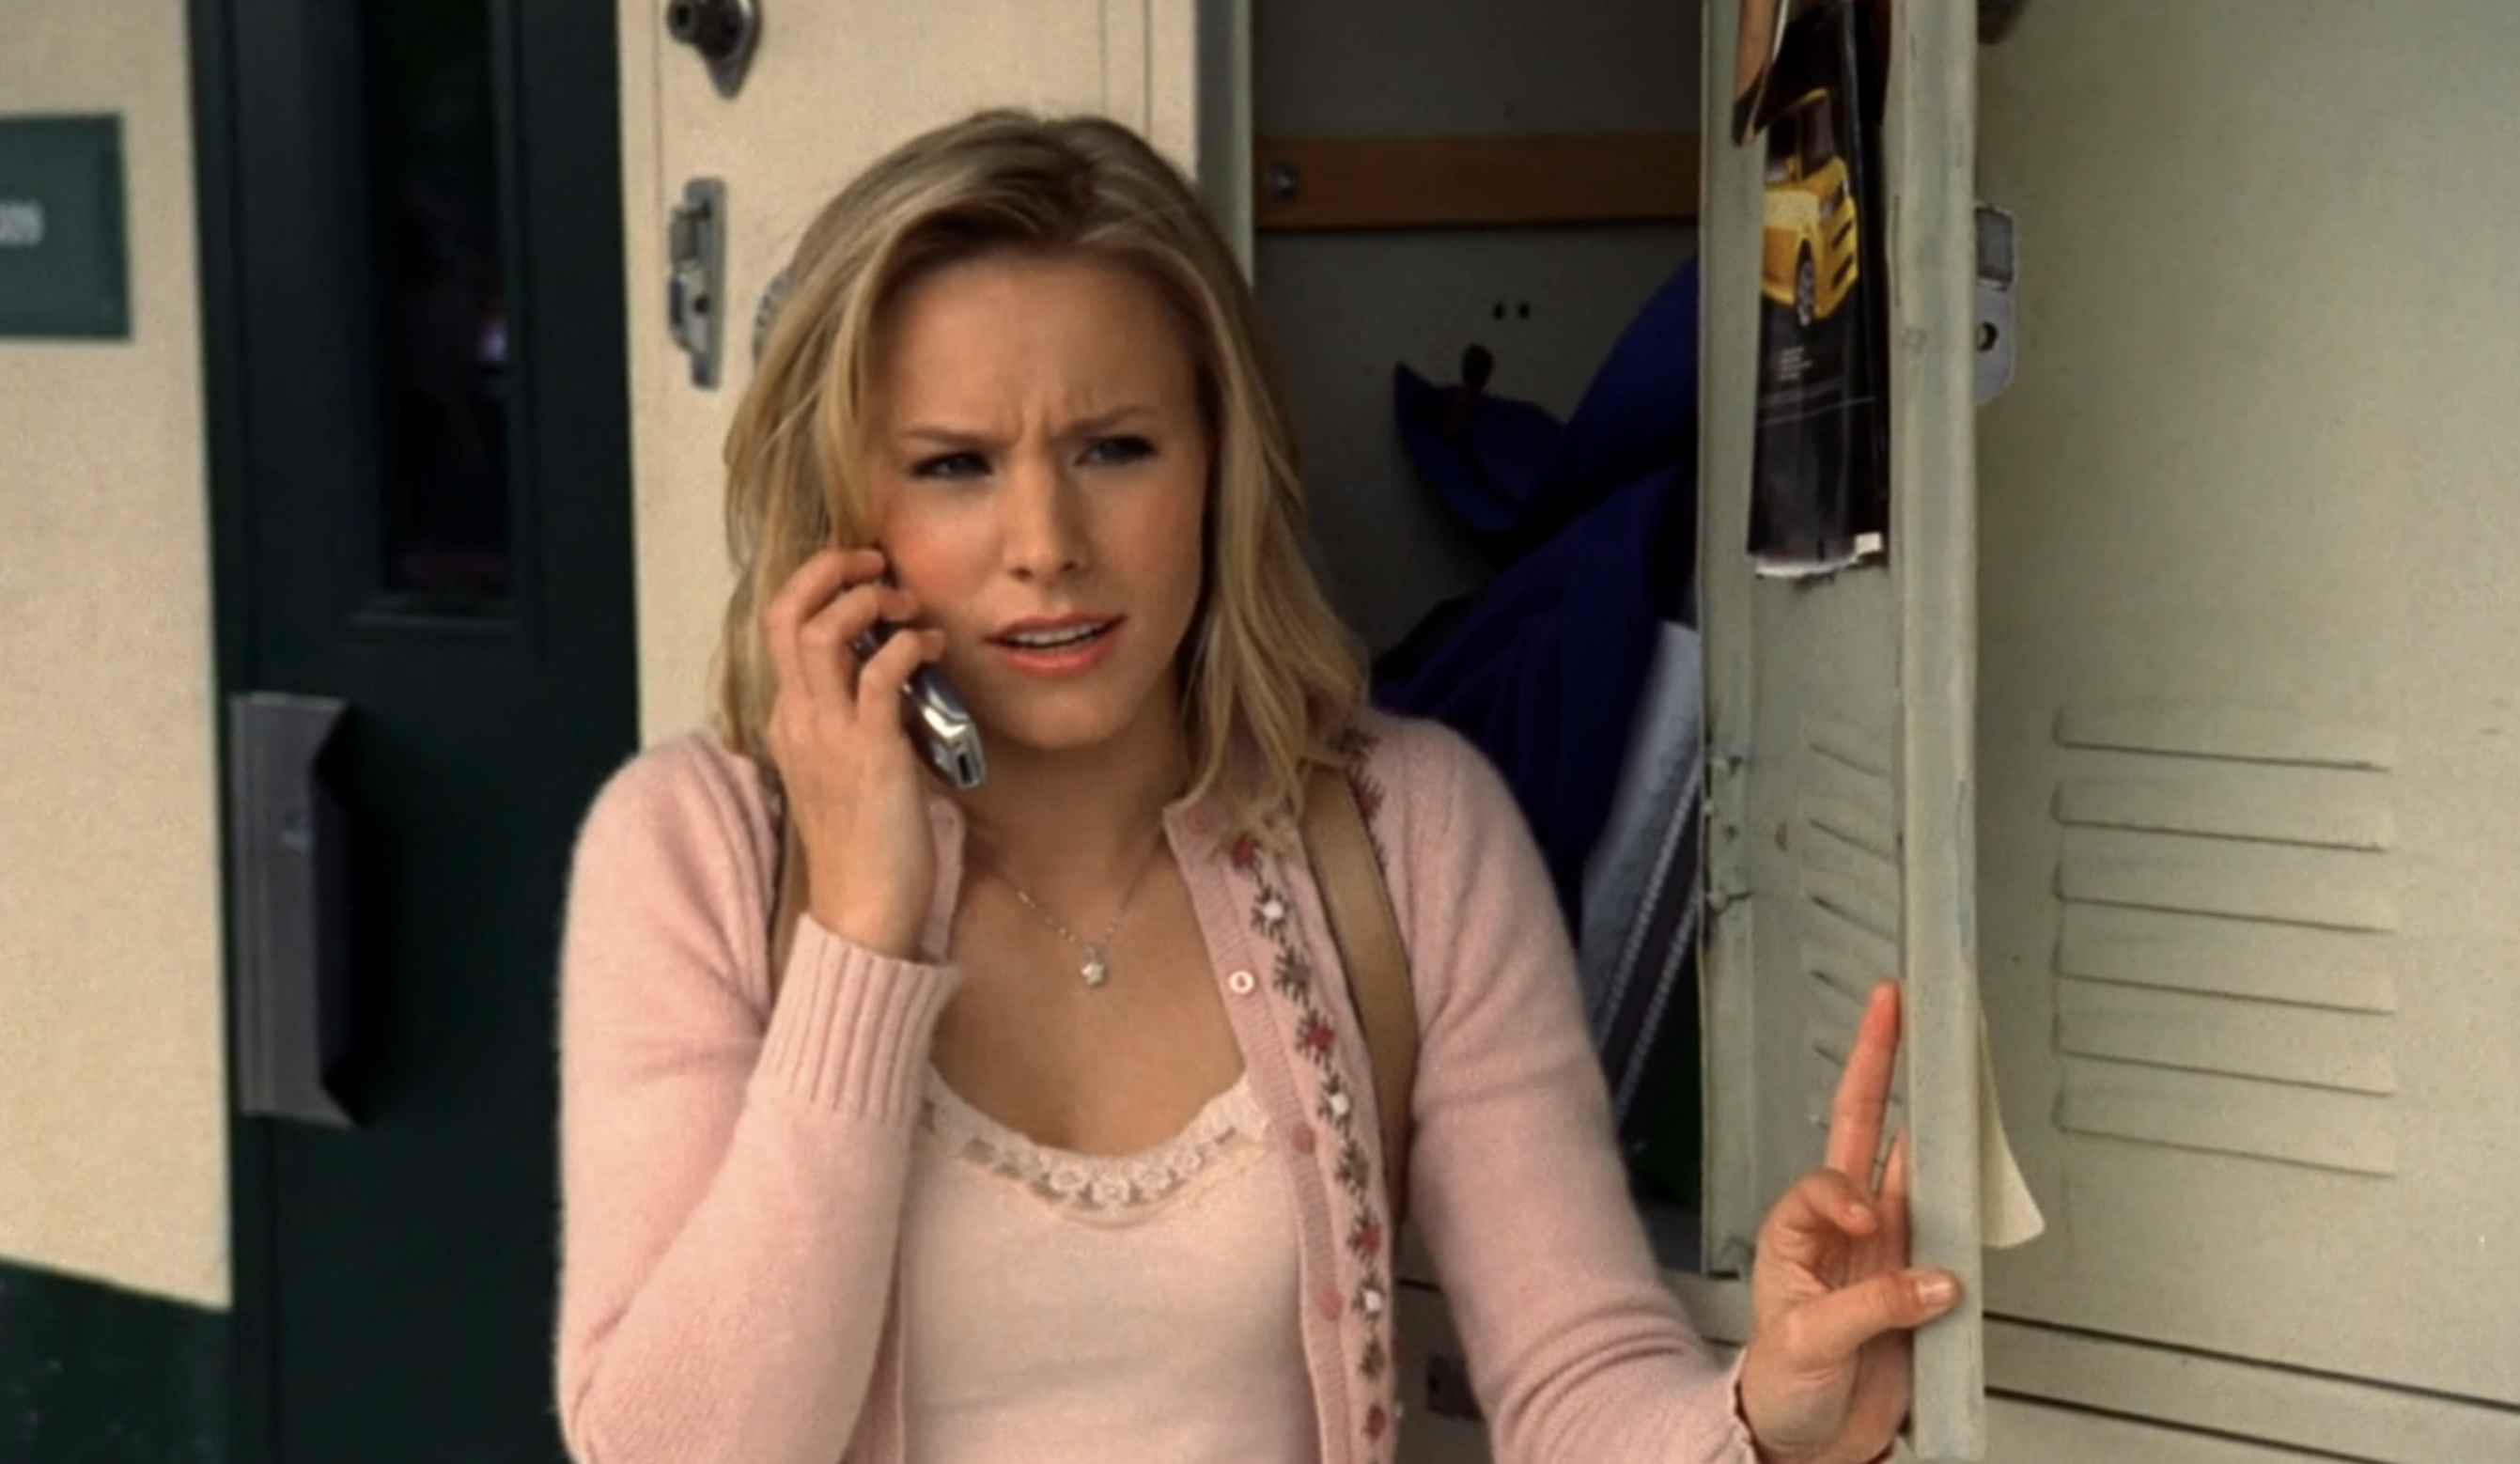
x=422 y=515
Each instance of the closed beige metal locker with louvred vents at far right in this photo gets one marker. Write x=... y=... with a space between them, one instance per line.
x=2252 y=808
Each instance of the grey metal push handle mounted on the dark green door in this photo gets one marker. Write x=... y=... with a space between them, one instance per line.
x=289 y=908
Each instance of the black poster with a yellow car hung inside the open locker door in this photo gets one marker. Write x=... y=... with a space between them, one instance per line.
x=1808 y=97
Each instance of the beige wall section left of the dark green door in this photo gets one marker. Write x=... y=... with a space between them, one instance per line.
x=112 y=1123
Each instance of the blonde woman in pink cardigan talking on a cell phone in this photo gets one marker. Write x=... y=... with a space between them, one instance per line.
x=1050 y=1135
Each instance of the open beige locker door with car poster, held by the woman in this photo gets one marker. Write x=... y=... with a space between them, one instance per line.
x=1841 y=707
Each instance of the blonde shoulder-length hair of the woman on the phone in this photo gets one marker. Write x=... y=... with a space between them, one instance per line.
x=1271 y=682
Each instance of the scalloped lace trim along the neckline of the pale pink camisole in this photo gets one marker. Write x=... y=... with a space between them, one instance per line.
x=1097 y=1183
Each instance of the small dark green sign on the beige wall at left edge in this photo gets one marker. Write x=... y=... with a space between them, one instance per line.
x=64 y=258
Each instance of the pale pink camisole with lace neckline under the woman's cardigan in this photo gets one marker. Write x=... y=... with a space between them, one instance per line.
x=1120 y=1312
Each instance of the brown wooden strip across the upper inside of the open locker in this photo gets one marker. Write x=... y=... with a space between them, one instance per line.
x=1475 y=183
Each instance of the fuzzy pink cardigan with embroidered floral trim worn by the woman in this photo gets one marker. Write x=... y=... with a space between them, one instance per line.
x=735 y=1170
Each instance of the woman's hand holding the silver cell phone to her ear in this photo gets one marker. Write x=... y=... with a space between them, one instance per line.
x=853 y=782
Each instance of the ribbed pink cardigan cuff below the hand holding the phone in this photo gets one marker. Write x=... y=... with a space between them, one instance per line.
x=850 y=1029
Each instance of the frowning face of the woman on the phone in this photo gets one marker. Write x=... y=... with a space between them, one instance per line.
x=1039 y=475
